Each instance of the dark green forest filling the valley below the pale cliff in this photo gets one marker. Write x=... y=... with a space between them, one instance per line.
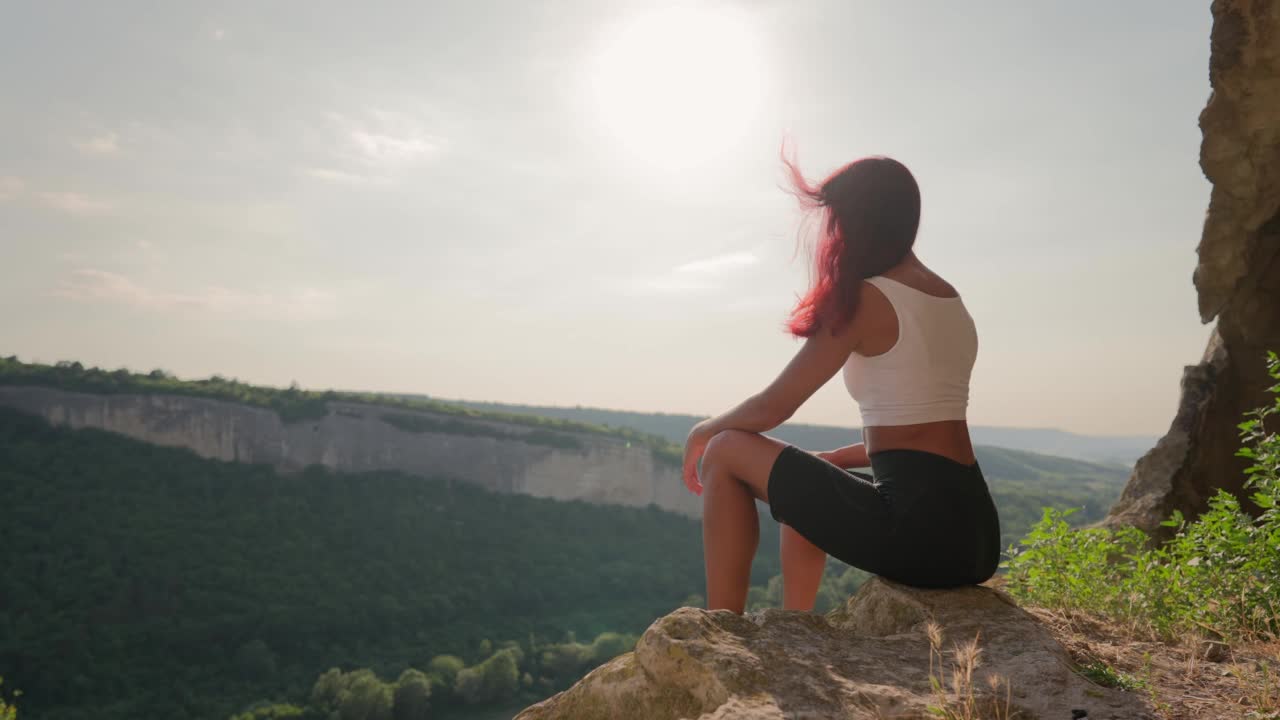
x=147 y=582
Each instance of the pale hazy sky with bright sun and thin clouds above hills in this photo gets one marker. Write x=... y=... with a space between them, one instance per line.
x=580 y=202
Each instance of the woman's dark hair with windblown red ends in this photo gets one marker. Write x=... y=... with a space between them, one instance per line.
x=871 y=211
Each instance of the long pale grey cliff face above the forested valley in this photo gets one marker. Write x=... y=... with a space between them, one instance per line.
x=356 y=439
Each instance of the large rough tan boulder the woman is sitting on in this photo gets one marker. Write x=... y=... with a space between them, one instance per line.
x=868 y=659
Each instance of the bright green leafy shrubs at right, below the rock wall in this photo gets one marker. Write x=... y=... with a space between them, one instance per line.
x=1219 y=576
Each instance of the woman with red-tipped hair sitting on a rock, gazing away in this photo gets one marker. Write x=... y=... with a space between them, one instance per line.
x=907 y=347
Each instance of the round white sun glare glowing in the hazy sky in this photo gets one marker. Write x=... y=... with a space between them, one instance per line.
x=680 y=86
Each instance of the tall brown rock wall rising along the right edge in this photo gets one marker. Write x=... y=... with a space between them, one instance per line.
x=1238 y=275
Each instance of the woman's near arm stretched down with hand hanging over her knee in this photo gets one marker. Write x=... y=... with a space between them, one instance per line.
x=816 y=363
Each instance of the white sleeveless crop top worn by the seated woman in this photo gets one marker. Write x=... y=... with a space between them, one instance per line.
x=925 y=377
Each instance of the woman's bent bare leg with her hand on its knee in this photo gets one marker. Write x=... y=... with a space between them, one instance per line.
x=735 y=472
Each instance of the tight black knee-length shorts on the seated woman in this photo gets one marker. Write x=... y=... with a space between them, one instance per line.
x=922 y=520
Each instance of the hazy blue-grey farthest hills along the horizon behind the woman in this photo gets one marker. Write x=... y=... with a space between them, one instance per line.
x=1118 y=450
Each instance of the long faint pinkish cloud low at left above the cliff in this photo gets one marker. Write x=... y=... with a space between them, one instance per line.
x=102 y=286
